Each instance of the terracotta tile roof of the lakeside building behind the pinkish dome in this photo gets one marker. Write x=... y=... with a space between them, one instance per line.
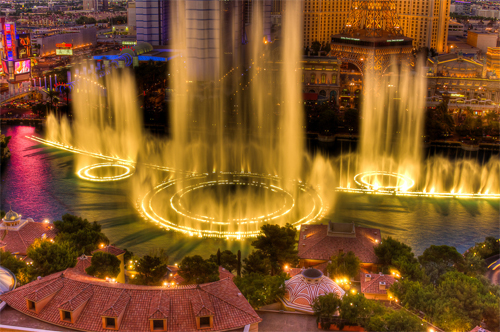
x=314 y=243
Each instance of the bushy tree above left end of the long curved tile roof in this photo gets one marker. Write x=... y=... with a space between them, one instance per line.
x=49 y=257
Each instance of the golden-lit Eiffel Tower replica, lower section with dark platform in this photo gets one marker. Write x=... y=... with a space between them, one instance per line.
x=371 y=37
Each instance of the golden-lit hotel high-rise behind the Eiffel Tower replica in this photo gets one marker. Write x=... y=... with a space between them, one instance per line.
x=425 y=21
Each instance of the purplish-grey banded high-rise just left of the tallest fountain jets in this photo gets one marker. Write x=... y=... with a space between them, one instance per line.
x=152 y=19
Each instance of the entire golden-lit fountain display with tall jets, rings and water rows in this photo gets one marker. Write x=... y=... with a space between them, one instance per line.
x=235 y=158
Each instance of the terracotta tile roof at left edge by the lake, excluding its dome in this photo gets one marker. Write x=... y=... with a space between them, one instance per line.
x=19 y=241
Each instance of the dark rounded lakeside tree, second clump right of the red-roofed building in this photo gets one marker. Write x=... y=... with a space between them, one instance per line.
x=437 y=260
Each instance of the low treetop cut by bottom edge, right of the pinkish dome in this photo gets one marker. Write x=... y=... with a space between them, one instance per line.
x=399 y=320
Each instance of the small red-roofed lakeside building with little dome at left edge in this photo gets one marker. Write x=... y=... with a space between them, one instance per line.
x=18 y=234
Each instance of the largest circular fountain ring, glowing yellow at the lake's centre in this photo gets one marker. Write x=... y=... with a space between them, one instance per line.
x=305 y=207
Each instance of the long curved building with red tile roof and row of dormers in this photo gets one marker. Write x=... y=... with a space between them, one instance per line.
x=78 y=302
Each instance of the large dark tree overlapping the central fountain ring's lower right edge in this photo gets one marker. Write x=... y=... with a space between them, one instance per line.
x=277 y=244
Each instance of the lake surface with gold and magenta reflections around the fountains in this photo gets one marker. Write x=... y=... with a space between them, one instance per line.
x=40 y=183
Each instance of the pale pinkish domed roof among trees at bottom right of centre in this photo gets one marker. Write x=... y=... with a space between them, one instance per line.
x=303 y=288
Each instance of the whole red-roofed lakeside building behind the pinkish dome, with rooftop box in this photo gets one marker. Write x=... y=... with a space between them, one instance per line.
x=318 y=243
